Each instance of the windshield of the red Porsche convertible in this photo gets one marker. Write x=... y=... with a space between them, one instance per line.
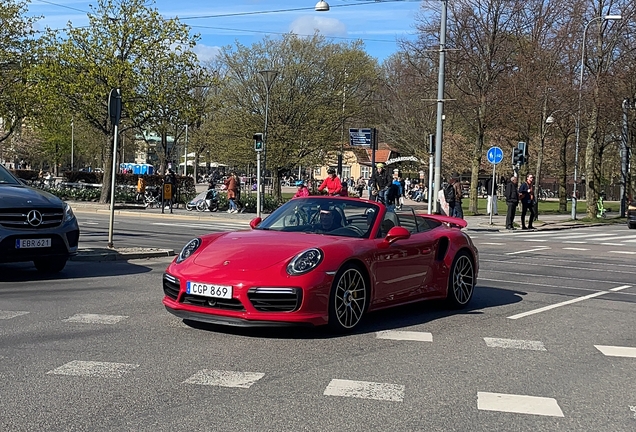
x=331 y=216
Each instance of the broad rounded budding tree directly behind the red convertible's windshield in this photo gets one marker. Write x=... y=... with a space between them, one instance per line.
x=306 y=115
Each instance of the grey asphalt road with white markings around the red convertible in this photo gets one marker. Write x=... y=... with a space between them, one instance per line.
x=544 y=346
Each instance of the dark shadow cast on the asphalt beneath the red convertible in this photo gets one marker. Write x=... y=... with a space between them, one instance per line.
x=388 y=319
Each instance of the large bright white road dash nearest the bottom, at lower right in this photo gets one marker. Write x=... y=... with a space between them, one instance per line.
x=518 y=404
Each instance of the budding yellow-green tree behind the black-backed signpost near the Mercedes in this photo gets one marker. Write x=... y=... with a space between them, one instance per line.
x=126 y=44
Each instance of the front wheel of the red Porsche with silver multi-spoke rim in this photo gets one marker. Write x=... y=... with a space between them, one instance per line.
x=348 y=299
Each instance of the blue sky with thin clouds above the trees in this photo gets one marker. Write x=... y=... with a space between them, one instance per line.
x=379 y=24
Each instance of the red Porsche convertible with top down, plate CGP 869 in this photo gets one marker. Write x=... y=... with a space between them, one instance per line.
x=321 y=260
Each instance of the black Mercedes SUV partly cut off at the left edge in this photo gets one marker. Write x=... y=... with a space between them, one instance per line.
x=35 y=226
